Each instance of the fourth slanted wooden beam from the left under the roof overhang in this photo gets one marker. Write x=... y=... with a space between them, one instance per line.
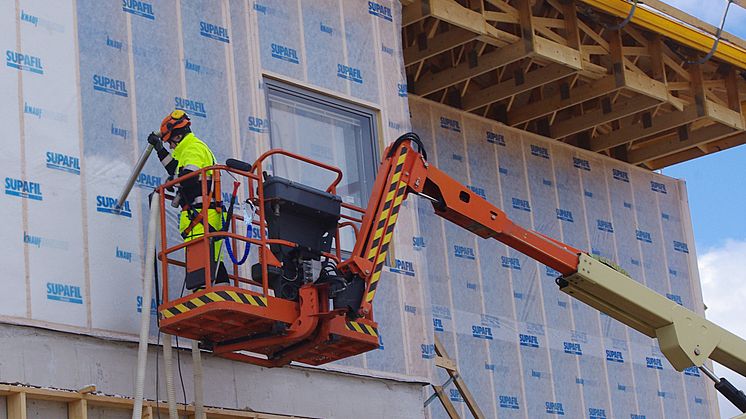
x=557 y=102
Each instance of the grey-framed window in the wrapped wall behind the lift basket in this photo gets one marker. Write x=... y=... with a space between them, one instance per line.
x=328 y=130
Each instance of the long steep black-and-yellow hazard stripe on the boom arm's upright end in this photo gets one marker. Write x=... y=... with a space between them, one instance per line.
x=386 y=223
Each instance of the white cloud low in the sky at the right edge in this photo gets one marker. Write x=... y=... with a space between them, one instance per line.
x=722 y=272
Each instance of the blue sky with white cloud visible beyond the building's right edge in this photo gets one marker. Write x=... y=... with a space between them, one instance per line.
x=717 y=199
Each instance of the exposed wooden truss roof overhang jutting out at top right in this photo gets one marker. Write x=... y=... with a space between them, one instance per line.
x=561 y=69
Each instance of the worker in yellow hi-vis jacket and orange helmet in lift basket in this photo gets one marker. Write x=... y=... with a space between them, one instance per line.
x=190 y=154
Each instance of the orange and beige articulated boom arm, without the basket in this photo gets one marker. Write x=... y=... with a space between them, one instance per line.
x=686 y=338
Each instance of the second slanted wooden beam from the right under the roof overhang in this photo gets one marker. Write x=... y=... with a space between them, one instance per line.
x=675 y=143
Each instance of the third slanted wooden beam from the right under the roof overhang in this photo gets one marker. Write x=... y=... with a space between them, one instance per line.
x=640 y=130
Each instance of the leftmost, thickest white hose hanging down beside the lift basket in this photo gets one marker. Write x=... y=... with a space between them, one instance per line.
x=147 y=284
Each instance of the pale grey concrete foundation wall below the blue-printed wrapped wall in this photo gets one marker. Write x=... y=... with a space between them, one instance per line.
x=54 y=359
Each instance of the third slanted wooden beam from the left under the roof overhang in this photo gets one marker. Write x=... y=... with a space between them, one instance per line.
x=504 y=90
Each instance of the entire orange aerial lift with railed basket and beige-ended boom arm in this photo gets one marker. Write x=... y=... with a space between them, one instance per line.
x=318 y=318
